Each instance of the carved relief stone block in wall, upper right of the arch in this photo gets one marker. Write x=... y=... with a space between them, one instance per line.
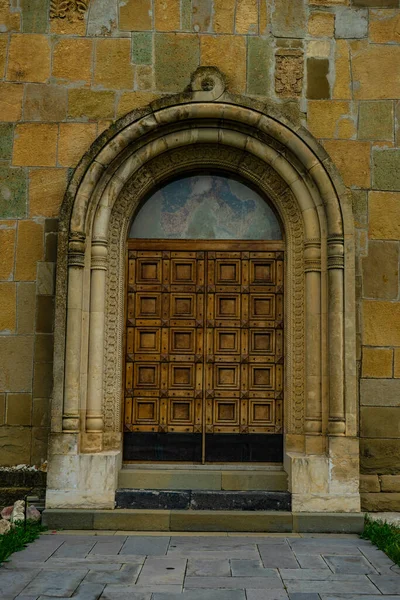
x=289 y=72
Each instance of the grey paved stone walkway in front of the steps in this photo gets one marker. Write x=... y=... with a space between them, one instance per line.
x=117 y=566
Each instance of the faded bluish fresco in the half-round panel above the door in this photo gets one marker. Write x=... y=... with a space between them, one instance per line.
x=206 y=207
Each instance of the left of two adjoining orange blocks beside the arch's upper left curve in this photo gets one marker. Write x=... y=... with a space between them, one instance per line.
x=35 y=144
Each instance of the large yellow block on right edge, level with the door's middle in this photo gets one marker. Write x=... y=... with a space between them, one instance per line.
x=381 y=323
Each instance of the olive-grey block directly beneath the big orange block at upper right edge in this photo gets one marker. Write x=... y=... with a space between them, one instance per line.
x=376 y=121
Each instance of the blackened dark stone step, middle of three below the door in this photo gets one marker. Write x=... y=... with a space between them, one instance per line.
x=202 y=500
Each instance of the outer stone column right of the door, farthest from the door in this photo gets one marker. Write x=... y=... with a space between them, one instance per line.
x=337 y=425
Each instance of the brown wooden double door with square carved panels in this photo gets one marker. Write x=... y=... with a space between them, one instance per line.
x=204 y=351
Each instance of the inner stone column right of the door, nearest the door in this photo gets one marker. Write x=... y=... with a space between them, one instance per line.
x=312 y=261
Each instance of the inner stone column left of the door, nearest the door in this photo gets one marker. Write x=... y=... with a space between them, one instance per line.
x=94 y=409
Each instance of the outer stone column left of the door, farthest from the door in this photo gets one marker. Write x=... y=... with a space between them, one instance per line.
x=76 y=257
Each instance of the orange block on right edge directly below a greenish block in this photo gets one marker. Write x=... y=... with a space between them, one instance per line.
x=384 y=215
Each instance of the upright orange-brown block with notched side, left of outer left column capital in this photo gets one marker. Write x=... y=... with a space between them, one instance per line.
x=29 y=250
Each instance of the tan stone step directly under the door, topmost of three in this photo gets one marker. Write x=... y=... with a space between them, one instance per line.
x=273 y=480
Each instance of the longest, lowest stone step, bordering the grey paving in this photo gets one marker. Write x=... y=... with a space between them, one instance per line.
x=203 y=520
